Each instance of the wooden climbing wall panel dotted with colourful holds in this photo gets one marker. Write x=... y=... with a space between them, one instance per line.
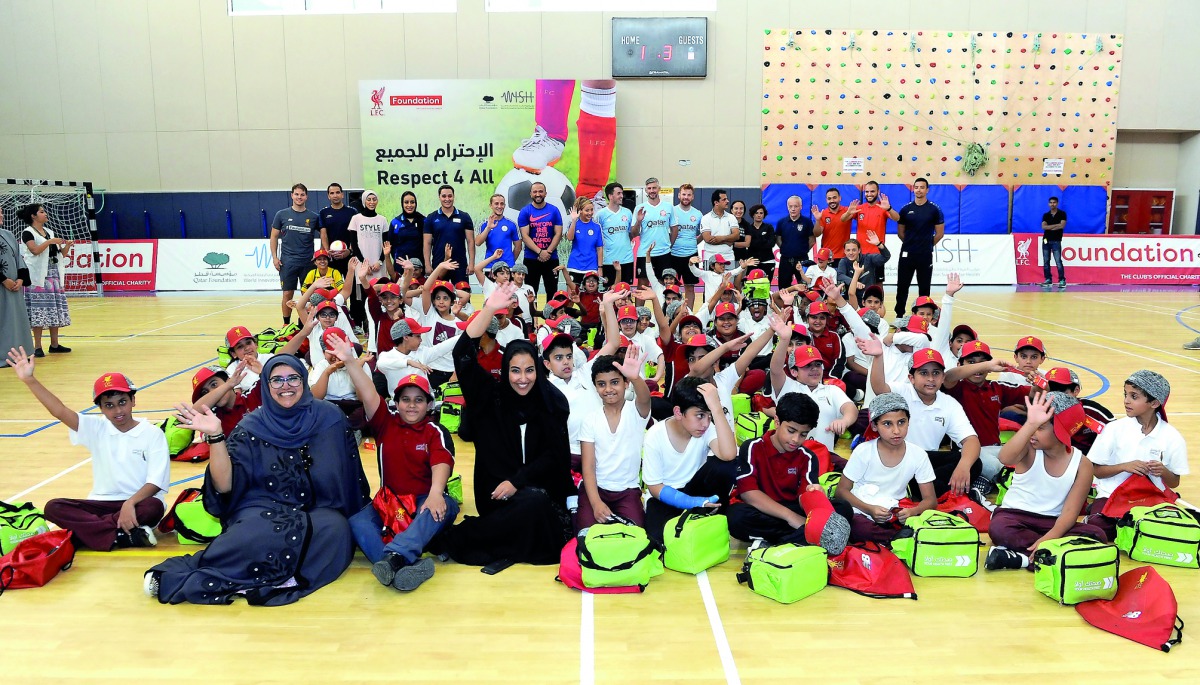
x=909 y=104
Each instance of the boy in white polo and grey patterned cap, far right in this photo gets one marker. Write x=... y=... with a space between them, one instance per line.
x=1143 y=443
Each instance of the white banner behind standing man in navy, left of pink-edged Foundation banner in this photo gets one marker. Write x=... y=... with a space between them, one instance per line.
x=979 y=260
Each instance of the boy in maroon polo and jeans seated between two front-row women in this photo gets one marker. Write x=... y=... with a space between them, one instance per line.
x=416 y=459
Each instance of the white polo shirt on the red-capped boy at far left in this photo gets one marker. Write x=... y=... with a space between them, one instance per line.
x=122 y=464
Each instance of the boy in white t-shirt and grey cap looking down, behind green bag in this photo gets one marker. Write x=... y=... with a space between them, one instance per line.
x=878 y=476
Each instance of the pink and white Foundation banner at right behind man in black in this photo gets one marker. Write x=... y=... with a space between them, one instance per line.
x=1114 y=260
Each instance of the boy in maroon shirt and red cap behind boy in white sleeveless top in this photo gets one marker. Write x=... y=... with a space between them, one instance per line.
x=982 y=401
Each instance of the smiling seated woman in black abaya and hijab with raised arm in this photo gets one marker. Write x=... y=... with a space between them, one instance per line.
x=523 y=460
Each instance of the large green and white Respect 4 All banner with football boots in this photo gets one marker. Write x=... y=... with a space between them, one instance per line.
x=487 y=137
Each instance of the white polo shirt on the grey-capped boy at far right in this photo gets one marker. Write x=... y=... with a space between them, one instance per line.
x=1124 y=442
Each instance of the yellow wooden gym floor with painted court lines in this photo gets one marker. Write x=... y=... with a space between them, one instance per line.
x=93 y=624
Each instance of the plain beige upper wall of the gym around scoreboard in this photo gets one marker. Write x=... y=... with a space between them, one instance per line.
x=145 y=95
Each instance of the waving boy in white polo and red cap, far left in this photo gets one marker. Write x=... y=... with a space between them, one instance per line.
x=130 y=465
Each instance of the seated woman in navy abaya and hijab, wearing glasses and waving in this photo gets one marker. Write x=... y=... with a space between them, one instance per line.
x=284 y=486
